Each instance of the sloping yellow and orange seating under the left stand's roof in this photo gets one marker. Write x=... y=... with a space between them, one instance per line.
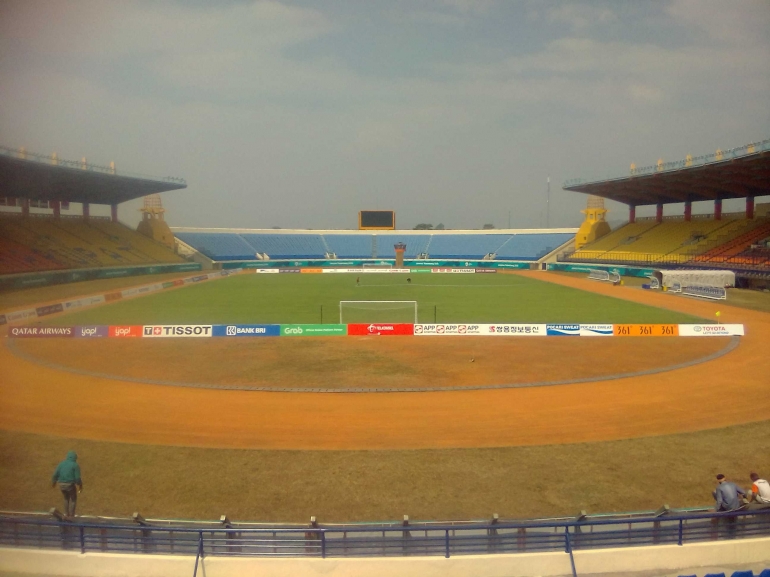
x=44 y=243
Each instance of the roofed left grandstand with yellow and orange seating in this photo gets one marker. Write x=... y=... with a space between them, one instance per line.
x=47 y=240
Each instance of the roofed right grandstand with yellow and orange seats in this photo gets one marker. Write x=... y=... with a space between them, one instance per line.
x=714 y=240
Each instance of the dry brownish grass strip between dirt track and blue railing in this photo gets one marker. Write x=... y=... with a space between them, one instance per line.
x=516 y=482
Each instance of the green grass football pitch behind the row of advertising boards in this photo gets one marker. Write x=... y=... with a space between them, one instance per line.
x=300 y=298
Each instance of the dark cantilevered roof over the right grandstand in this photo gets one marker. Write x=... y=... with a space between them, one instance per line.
x=736 y=173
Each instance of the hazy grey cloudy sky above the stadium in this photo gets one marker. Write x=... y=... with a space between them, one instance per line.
x=300 y=114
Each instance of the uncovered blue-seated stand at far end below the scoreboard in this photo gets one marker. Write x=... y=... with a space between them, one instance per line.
x=245 y=244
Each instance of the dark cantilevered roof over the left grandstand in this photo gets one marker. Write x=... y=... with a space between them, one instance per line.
x=37 y=177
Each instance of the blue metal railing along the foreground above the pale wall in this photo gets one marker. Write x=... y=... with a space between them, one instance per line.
x=384 y=541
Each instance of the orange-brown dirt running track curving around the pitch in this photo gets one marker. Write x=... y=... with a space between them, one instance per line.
x=730 y=390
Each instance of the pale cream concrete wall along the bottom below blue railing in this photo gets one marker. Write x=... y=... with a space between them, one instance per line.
x=666 y=558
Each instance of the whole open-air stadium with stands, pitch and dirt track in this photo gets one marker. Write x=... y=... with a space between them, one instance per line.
x=164 y=347
